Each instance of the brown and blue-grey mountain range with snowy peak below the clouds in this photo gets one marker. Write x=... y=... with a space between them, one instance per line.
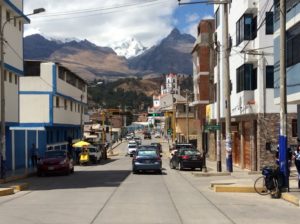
x=92 y=62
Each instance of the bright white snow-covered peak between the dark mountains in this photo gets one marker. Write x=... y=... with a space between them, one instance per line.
x=128 y=48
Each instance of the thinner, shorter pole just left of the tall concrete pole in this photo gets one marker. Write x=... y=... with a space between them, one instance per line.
x=219 y=154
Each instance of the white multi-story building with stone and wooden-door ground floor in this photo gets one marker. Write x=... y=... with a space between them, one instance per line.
x=254 y=115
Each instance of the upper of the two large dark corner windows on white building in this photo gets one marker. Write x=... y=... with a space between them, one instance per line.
x=246 y=28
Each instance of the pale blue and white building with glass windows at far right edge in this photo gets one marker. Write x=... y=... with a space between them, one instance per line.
x=293 y=55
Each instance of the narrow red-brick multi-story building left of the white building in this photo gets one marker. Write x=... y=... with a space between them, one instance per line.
x=203 y=74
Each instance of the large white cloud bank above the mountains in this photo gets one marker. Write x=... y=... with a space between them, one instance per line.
x=103 y=21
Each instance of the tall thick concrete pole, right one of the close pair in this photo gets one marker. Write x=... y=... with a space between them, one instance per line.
x=226 y=51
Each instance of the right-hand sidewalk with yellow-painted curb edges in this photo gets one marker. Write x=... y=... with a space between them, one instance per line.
x=242 y=181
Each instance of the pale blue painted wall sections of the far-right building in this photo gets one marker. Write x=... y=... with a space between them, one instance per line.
x=292 y=75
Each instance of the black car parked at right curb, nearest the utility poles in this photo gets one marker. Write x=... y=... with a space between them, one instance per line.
x=186 y=158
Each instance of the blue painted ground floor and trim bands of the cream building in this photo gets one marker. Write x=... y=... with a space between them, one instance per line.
x=43 y=135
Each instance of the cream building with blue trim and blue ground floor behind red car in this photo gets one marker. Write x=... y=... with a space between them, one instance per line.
x=52 y=102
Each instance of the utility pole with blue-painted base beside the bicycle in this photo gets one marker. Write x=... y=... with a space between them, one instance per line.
x=283 y=154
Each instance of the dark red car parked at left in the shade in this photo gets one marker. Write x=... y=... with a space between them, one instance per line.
x=56 y=162
